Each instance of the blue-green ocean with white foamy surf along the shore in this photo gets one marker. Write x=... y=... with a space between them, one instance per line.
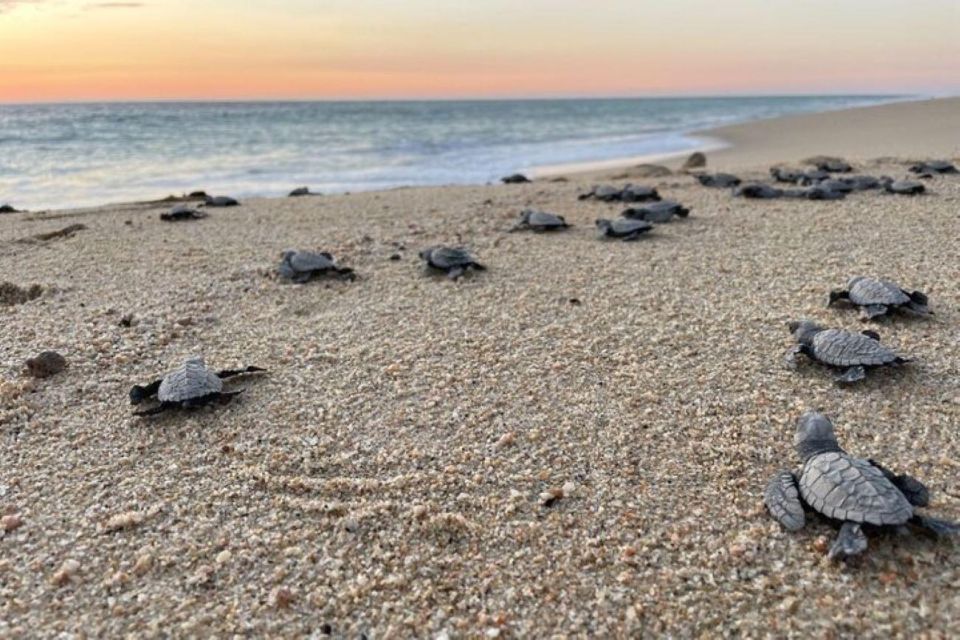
x=73 y=155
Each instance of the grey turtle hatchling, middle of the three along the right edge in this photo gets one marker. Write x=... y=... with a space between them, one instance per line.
x=852 y=353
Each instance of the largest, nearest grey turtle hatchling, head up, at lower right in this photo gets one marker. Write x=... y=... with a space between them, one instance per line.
x=852 y=491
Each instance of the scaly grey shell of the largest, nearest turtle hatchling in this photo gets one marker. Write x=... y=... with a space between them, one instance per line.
x=846 y=488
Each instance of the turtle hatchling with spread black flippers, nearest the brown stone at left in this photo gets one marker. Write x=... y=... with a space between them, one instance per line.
x=189 y=385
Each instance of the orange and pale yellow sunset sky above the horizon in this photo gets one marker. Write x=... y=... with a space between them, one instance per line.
x=65 y=50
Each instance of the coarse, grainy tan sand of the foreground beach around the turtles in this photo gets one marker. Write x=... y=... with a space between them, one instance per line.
x=387 y=477
